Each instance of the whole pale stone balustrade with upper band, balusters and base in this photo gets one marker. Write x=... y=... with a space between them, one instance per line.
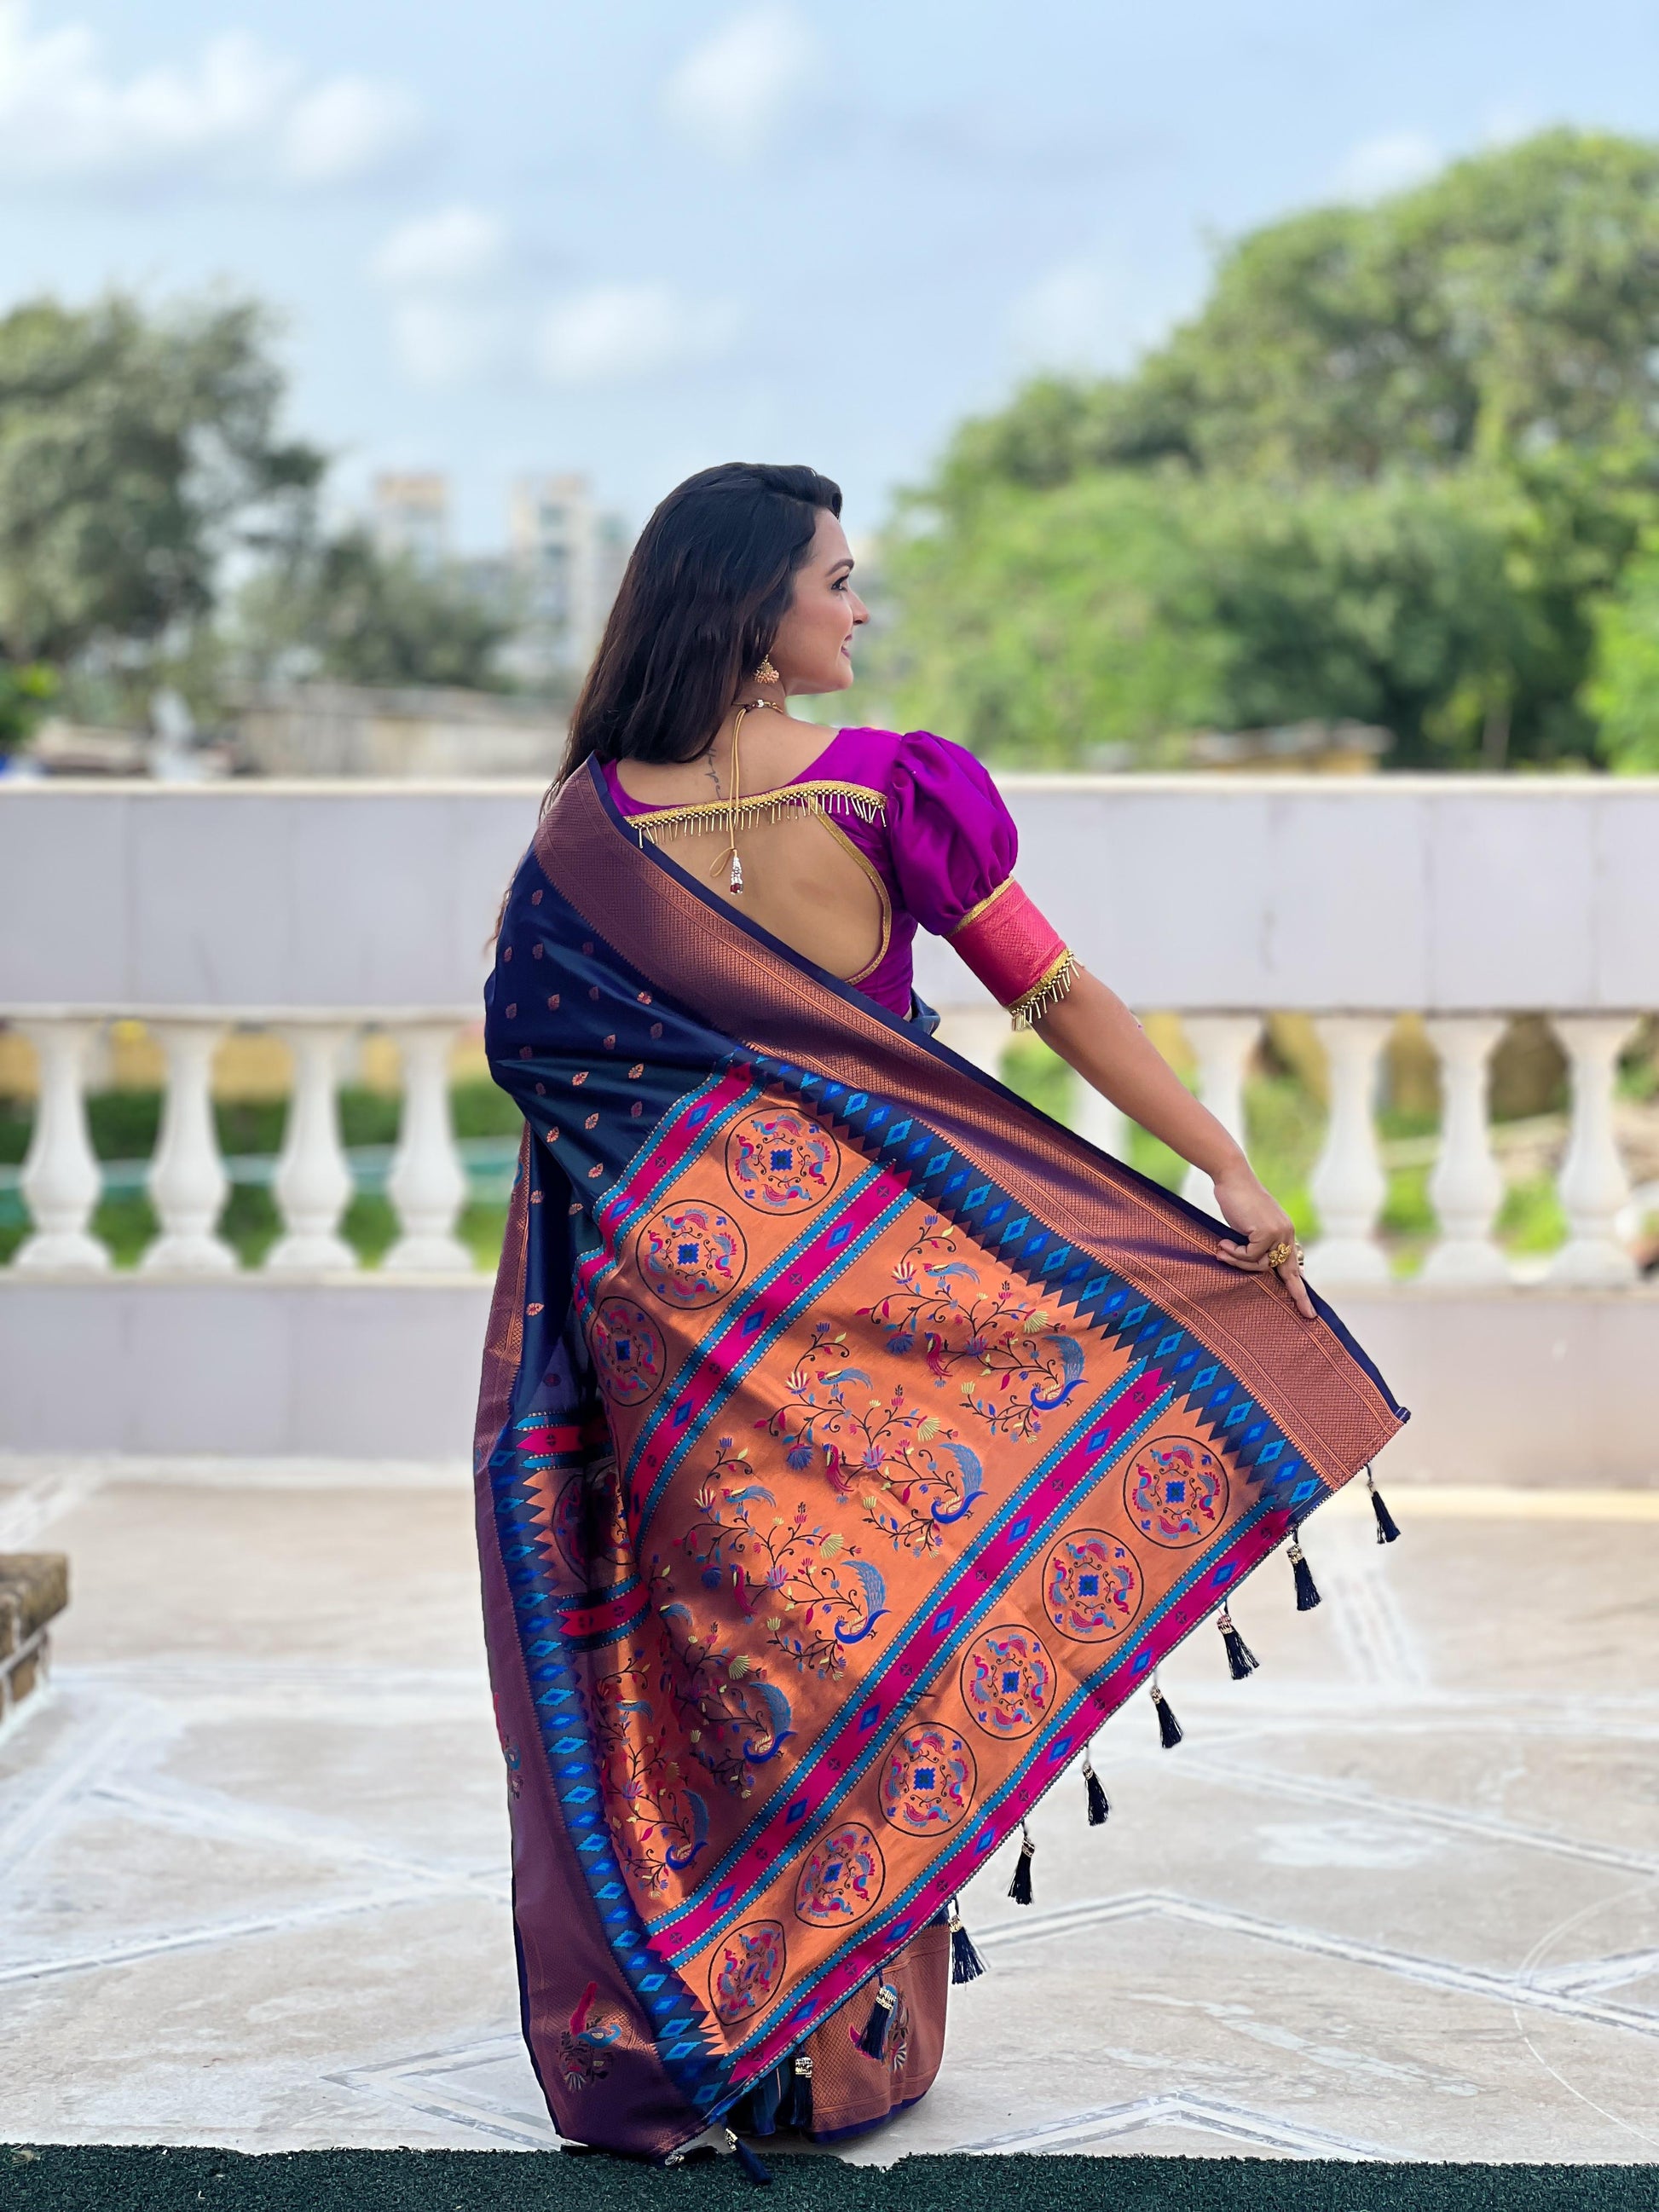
x=328 y=910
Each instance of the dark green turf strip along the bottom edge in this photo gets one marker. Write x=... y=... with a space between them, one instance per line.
x=114 y=2180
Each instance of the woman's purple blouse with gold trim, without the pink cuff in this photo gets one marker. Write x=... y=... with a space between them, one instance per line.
x=941 y=842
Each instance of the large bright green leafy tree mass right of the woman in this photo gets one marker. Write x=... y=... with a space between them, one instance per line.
x=1388 y=470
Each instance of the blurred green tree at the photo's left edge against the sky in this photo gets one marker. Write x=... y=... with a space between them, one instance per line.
x=136 y=450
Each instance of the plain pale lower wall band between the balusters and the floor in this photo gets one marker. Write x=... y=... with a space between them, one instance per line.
x=1507 y=1386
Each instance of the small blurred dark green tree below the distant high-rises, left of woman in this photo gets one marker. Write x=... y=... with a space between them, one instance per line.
x=344 y=609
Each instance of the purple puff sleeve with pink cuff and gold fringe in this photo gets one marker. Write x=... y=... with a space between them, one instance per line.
x=952 y=848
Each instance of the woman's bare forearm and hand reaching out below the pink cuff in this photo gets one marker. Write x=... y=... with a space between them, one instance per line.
x=1100 y=1039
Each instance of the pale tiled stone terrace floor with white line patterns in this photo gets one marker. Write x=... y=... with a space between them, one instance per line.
x=1397 y=1895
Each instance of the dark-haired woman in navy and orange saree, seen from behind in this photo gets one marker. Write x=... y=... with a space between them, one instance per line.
x=853 y=1439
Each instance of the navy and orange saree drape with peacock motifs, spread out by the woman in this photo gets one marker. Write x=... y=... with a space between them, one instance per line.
x=853 y=1443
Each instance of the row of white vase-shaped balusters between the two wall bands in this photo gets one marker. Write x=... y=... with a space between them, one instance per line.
x=428 y=1182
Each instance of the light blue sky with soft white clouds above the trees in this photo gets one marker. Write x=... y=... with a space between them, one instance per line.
x=636 y=238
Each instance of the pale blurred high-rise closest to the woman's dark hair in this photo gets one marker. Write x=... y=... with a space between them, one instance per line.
x=567 y=556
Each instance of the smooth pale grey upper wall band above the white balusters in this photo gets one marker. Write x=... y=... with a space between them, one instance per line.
x=1200 y=893
